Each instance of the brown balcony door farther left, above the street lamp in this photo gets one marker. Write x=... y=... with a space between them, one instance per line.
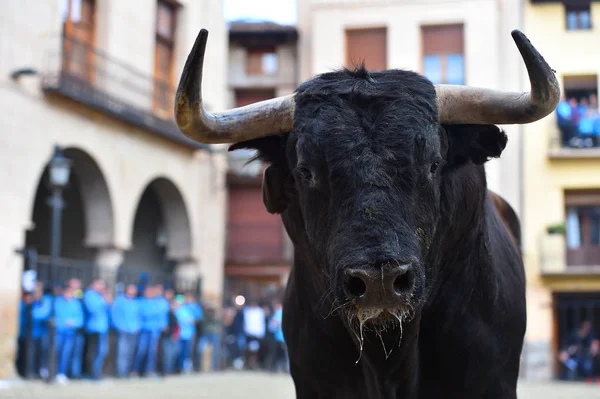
x=78 y=38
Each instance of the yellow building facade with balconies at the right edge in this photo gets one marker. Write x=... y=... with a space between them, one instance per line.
x=561 y=187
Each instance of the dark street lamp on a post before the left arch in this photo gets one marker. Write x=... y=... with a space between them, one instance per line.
x=59 y=171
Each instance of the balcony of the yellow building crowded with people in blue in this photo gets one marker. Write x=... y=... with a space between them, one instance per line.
x=578 y=129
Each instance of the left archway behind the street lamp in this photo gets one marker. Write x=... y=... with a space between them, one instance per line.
x=87 y=220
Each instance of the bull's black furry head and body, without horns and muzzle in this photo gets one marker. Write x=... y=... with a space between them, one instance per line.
x=357 y=184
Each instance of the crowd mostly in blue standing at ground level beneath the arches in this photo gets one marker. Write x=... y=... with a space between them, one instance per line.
x=154 y=330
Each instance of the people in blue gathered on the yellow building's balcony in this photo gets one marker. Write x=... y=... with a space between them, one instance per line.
x=579 y=122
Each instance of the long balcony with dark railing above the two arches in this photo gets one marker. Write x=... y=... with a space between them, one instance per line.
x=90 y=77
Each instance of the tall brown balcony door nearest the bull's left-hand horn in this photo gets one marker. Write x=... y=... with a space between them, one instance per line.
x=164 y=53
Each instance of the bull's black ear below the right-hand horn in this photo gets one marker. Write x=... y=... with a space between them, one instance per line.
x=476 y=143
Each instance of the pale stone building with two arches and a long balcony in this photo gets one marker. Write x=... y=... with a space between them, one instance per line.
x=97 y=78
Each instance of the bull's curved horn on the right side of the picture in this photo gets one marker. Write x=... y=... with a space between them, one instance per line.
x=472 y=105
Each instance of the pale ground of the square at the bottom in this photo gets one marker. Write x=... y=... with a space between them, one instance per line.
x=229 y=386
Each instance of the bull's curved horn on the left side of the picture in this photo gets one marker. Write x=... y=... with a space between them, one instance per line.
x=261 y=119
